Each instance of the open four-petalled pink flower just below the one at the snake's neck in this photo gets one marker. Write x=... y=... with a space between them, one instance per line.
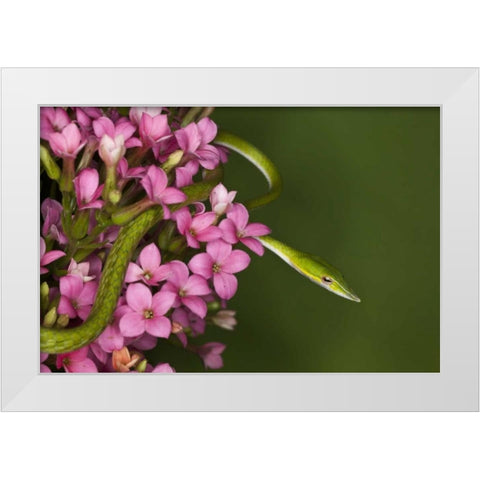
x=220 y=263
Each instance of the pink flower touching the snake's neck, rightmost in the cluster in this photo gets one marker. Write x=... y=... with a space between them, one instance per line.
x=236 y=228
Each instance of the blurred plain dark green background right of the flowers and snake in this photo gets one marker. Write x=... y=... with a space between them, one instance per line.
x=361 y=190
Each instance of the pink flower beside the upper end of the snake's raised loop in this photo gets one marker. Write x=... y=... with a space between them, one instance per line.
x=193 y=140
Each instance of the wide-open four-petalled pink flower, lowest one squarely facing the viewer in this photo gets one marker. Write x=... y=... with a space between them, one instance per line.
x=146 y=313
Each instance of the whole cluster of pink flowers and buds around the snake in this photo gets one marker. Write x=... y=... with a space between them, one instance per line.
x=184 y=270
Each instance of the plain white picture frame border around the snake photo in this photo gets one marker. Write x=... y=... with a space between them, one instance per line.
x=455 y=388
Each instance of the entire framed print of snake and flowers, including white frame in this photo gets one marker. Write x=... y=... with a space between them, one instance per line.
x=256 y=239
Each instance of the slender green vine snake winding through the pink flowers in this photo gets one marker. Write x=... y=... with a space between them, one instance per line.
x=56 y=341
